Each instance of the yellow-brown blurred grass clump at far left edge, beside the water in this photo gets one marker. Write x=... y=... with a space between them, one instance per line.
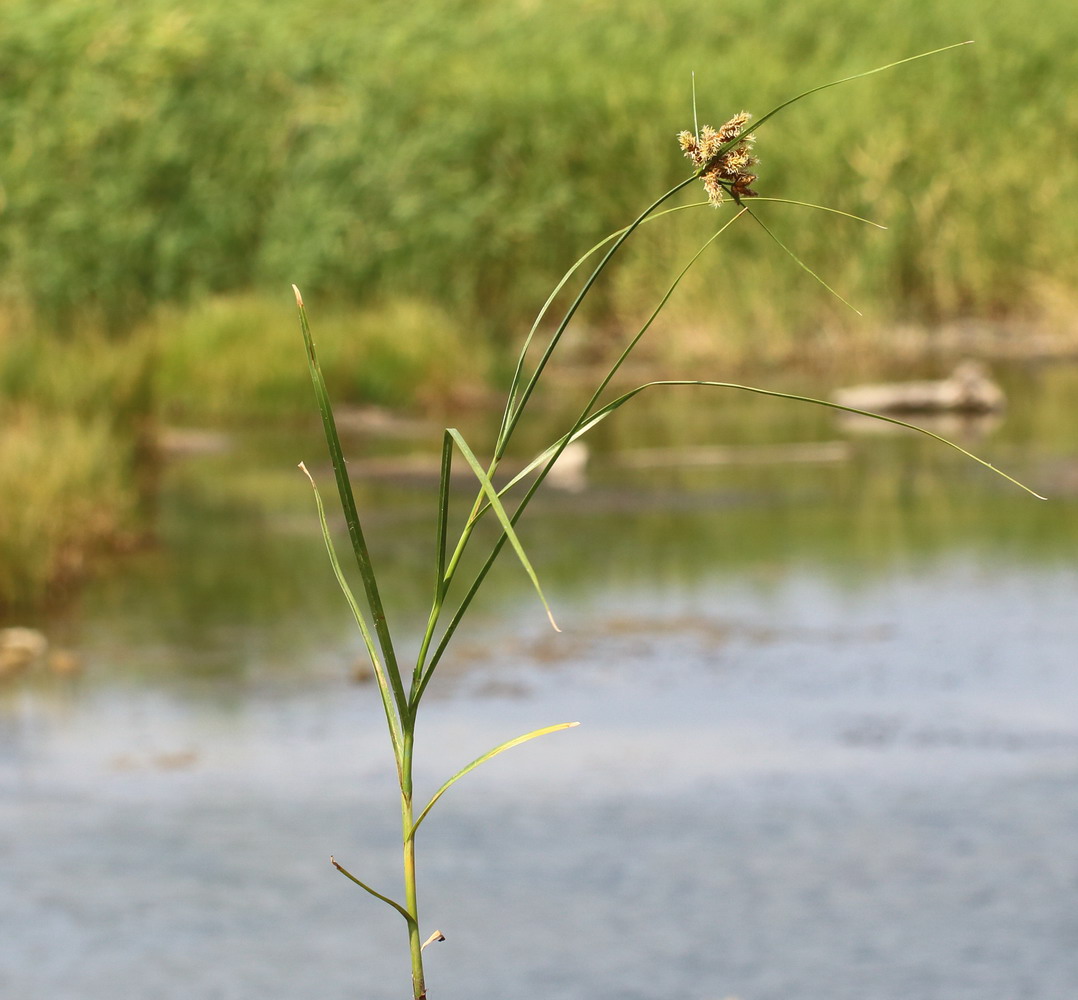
x=74 y=434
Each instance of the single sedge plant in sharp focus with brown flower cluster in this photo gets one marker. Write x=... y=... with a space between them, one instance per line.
x=723 y=160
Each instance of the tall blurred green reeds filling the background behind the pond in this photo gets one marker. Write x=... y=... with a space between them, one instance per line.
x=156 y=154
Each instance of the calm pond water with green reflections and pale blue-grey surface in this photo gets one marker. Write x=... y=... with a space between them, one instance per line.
x=830 y=743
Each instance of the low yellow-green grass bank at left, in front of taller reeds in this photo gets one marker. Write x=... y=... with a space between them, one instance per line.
x=80 y=414
